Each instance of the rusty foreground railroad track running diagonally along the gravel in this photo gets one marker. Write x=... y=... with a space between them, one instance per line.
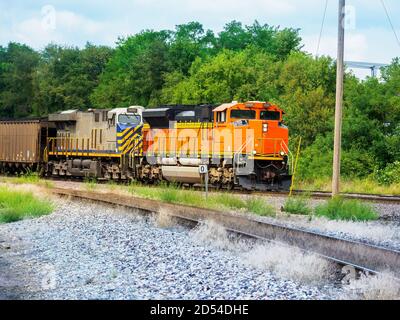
x=344 y=252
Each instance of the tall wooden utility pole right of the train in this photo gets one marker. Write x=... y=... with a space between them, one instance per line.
x=339 y=101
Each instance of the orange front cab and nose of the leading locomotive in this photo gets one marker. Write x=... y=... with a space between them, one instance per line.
x=260 y=142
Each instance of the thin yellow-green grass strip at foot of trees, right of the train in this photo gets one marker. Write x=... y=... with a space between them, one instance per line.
x=366 y=186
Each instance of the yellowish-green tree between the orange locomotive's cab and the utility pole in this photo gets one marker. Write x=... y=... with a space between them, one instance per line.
x=306 y=91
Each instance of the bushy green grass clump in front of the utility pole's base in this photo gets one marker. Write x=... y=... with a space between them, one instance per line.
x=349 y=210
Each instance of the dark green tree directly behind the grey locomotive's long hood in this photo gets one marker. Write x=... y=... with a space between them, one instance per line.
x=66 y=77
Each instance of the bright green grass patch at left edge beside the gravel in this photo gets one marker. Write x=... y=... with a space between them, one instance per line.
x=18 y=205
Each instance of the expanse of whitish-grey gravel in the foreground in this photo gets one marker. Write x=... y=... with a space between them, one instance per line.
x=86 y=251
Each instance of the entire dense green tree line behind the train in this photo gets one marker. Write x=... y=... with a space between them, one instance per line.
x=191 y=65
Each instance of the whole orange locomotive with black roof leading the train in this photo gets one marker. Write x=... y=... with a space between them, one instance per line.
x=244 y=145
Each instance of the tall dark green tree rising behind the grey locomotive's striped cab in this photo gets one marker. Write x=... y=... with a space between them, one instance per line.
x=134 y=75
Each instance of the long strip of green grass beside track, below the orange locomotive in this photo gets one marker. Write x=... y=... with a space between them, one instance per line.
x=173 y=194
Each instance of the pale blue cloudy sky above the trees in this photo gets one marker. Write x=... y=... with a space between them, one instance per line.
x=369 y=35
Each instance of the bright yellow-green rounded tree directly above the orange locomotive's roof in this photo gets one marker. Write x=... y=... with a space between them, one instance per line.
x=228 y=76
